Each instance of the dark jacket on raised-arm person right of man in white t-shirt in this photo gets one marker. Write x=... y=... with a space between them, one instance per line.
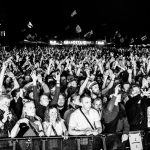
x=114 y=118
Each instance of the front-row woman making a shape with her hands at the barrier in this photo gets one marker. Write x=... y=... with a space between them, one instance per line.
x=29 y=125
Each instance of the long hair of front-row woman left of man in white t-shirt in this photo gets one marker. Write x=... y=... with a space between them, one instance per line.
x=47 y=116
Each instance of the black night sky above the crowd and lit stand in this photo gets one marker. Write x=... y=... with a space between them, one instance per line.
x=52 y=18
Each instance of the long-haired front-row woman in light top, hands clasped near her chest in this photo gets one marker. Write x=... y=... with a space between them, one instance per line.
x=54 y=126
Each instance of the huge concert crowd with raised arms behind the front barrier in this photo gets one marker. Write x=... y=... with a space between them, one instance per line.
x=74 y=90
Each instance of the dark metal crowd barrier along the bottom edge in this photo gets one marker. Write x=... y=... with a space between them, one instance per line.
x=99 y=142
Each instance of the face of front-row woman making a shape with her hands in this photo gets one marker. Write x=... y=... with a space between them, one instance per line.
x=30 y=109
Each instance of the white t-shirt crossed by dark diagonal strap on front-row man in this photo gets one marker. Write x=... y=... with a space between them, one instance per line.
x=79 y=122
